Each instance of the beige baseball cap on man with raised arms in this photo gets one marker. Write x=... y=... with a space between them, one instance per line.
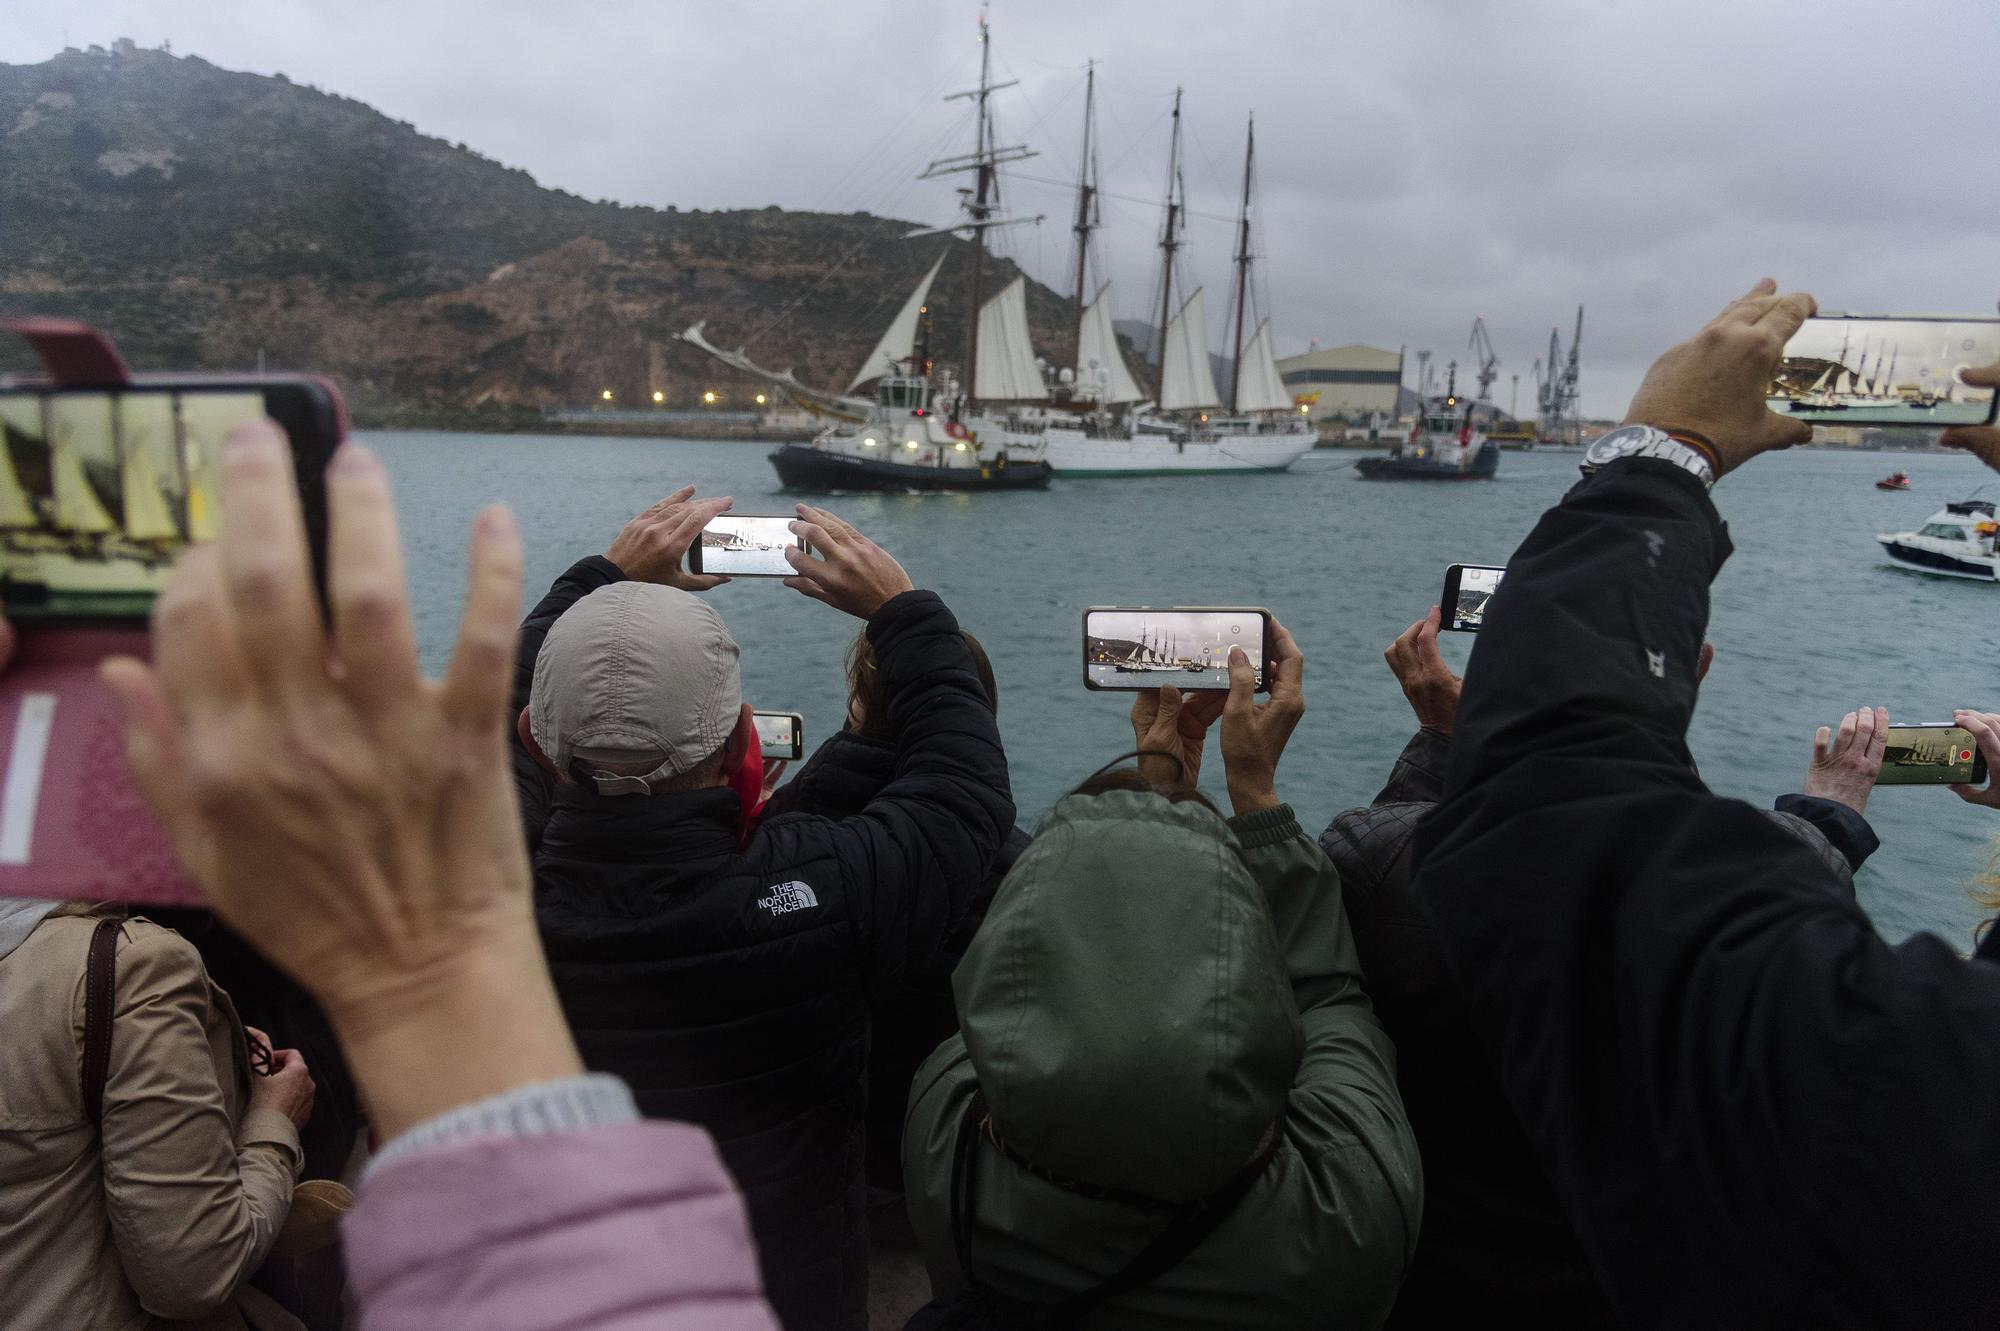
x=641 y=678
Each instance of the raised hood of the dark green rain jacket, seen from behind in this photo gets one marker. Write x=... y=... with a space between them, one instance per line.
x=1125 y=1004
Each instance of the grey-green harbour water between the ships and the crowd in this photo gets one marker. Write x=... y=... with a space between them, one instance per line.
x=1809 y=621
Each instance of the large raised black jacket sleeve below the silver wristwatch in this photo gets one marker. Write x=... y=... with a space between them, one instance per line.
x=1755 y=1110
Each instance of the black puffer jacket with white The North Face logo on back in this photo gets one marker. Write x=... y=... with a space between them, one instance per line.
x=735 y=990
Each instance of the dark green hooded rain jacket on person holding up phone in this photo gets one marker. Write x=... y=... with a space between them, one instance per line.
x=1151 y=992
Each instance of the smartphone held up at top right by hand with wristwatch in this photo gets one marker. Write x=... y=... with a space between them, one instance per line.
x=1887 y=371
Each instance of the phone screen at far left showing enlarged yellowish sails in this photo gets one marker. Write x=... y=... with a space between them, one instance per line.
x=99 y=493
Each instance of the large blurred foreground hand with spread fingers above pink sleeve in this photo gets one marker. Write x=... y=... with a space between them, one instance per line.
x=339 y=810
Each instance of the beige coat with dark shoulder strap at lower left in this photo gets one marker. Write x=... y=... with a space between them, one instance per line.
x=163 y=1214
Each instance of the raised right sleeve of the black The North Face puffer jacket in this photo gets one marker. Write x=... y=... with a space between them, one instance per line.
x=921 y=850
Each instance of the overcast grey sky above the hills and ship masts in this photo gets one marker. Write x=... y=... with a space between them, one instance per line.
x=1421 y=161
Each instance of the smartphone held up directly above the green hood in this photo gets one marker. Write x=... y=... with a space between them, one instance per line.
x=1187 y=647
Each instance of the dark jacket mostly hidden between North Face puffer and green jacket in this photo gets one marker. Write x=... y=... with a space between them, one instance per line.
x=837 y=782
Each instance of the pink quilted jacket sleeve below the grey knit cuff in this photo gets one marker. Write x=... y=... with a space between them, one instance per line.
x=603 y=1230
